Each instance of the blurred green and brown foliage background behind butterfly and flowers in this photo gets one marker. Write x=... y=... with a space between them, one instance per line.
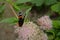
x=8 y=8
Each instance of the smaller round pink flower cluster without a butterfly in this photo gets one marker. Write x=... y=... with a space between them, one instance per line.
x=45 y=22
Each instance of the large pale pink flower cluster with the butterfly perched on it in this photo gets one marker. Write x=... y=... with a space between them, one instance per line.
x=30 y=31
